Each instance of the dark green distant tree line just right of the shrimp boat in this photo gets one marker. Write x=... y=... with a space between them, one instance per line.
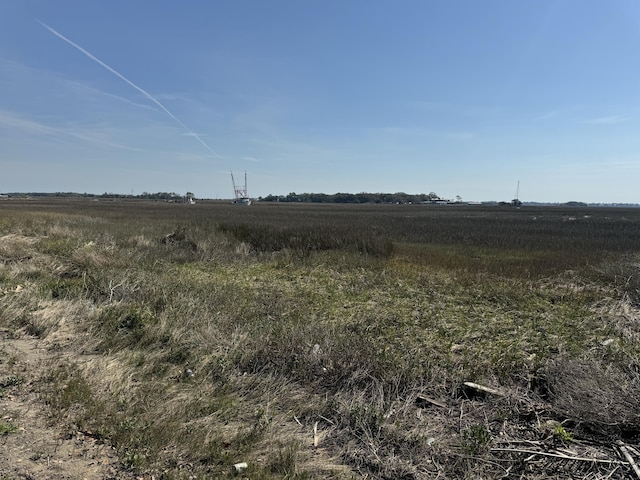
x=399 y=197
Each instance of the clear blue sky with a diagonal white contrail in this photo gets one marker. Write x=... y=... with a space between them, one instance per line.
x=458 y=98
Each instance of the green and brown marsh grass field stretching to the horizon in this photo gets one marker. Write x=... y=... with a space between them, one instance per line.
x=315 y=341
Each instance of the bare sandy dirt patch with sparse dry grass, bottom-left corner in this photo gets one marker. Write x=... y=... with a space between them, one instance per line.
x=38 y=449
